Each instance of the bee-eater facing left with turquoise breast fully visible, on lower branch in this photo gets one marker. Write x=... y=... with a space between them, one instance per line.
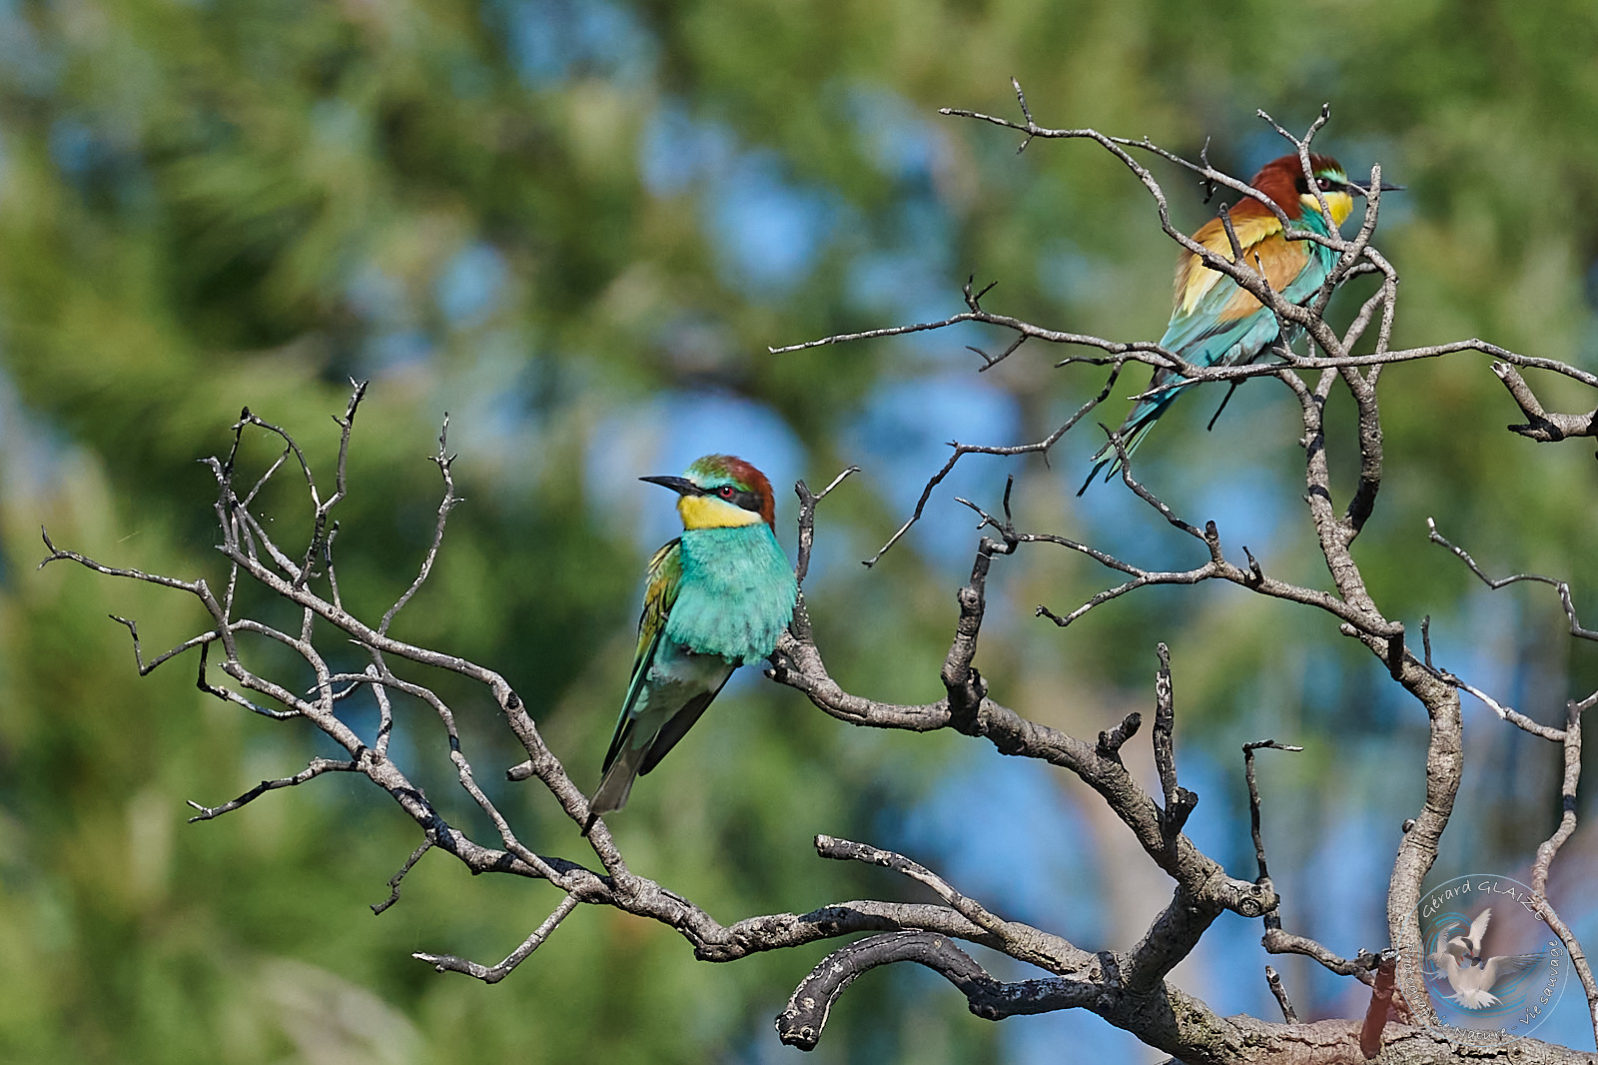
x=718 y=597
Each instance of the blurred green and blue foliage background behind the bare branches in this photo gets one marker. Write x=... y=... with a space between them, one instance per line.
x=578 y=226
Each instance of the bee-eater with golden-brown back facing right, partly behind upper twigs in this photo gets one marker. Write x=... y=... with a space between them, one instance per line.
x=1218 y=324
